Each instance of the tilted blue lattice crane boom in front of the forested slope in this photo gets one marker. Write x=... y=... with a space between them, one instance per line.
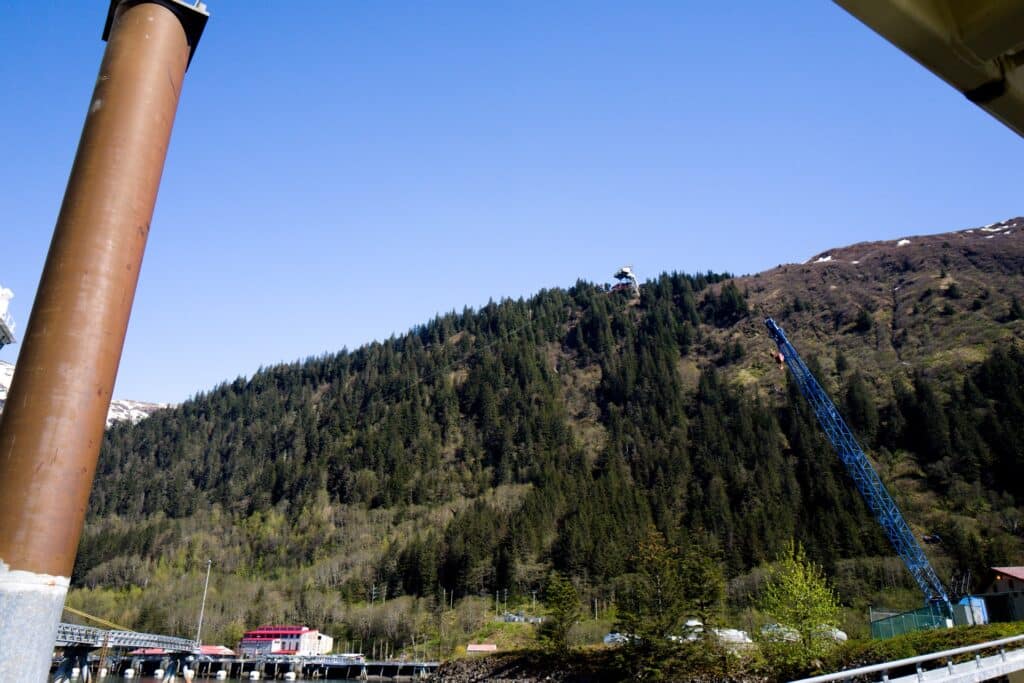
x=867 y=480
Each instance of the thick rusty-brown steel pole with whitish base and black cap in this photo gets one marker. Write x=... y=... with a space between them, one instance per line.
x=56 y=412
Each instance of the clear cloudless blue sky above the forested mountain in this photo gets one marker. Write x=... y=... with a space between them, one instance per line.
x=340 y=172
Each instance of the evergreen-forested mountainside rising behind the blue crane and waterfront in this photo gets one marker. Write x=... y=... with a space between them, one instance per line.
x=483 y=449
